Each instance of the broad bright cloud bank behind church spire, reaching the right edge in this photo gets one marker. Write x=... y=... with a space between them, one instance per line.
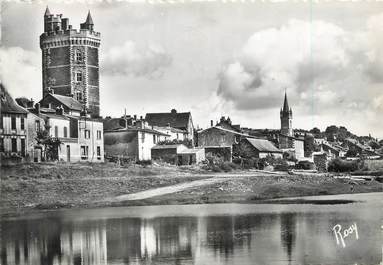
x=327 y=70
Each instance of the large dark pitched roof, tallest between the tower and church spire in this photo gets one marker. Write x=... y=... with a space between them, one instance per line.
x=174 y=119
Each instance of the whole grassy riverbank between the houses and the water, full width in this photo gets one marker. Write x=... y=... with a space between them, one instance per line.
x=31 y=187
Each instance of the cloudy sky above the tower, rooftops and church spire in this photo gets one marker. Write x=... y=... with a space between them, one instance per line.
x=219 y=58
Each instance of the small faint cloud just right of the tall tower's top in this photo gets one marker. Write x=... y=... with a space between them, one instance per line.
x=129 y=59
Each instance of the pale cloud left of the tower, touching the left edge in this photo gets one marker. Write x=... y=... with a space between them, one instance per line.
x=20 y=71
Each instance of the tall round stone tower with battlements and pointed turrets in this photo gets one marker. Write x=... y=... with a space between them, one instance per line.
x=70 y=60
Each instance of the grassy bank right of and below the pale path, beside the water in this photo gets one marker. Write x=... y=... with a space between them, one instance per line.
x=259 y=189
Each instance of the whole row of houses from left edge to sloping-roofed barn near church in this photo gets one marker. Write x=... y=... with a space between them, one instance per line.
x=168 y=136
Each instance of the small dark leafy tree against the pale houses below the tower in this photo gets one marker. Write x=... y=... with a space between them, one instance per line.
x=51 y=145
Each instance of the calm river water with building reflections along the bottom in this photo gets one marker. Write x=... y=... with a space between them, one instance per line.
x=200 y=234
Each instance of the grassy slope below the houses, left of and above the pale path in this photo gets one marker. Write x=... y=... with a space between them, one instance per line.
x=60 y=185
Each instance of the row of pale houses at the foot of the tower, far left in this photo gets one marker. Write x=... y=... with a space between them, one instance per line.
x=25 y=132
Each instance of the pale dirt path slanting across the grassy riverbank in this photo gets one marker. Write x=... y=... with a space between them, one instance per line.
x=170 y=189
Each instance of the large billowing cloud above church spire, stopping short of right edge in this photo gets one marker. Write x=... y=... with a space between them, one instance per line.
x=297 y=56
